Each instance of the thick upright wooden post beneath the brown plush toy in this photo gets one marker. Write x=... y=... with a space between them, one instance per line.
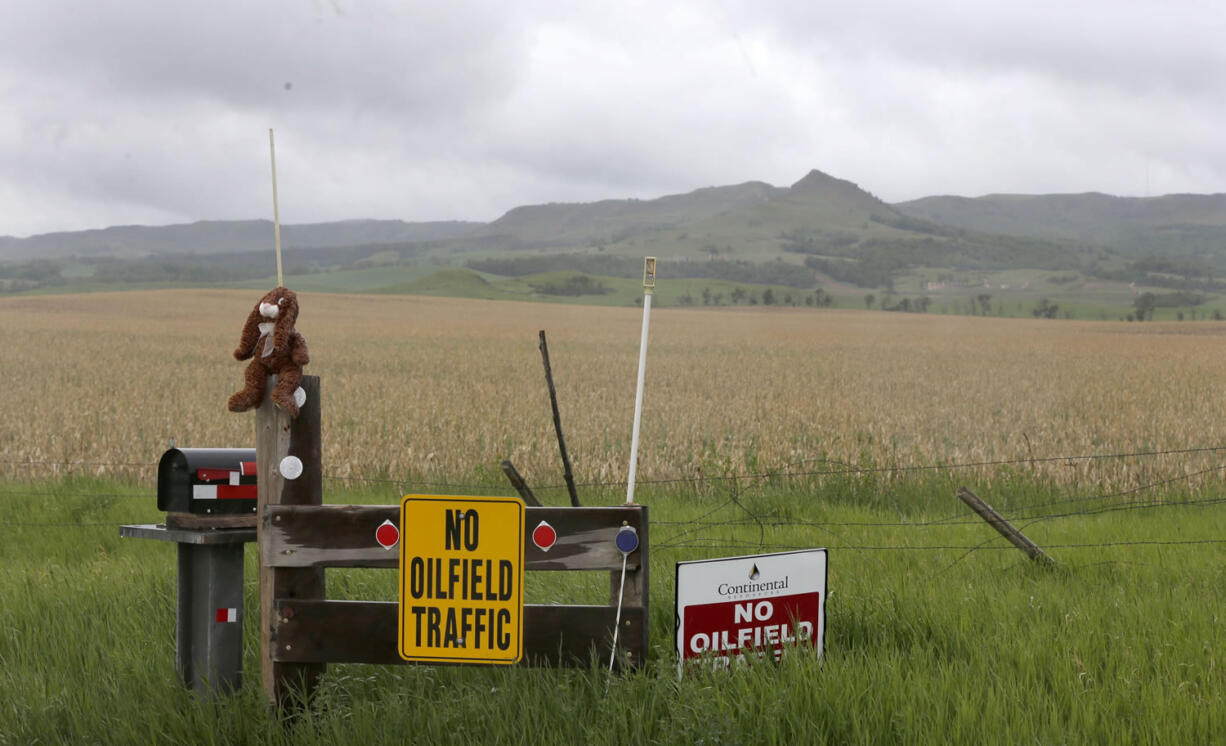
x=279 y=436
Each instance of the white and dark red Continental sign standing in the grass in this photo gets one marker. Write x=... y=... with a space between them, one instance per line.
x=740 y=609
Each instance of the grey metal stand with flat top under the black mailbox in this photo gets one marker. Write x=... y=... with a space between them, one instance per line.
x=209 y=652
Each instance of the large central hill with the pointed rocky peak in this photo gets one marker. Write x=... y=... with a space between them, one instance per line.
x=820 y=225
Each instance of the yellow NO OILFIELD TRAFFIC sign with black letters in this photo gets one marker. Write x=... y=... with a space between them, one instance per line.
x=462 y=580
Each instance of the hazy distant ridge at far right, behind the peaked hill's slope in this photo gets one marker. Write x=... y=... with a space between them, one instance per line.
x=1174 y=226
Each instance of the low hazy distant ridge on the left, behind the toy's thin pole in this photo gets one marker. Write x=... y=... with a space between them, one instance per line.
x=224 y=237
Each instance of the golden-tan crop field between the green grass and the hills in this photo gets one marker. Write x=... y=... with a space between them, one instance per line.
x=441 y=390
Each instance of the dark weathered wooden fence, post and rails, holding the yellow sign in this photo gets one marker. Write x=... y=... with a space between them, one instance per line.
x=302 y=631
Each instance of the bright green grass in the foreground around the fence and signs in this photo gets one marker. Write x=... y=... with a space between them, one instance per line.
x=1120 y=645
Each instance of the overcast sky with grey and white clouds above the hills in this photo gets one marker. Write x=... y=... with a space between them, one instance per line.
x=159 y=112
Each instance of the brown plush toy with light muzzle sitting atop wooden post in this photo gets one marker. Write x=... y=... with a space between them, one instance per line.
x=279 y=350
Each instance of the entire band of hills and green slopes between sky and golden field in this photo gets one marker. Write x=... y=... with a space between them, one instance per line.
x=1092 y=256
